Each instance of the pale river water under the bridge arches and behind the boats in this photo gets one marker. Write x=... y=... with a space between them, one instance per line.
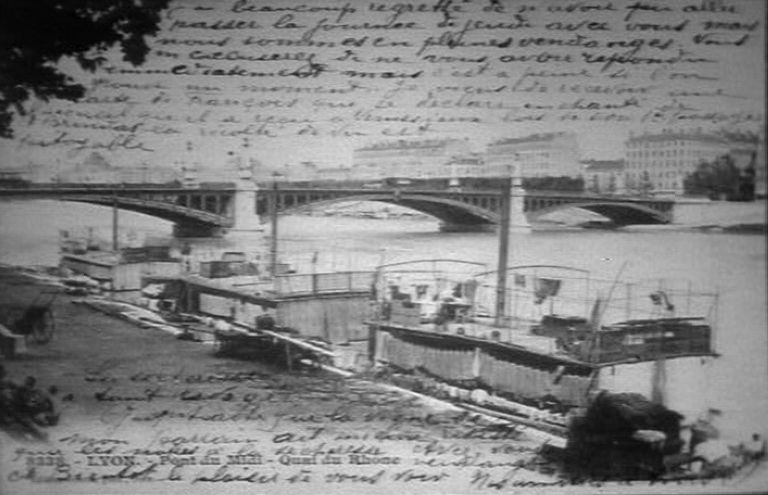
x=732 y=264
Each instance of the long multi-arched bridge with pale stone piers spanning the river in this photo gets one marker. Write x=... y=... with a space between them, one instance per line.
x=214 y=210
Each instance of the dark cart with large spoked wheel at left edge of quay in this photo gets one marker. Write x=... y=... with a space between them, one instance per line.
x=34 y=323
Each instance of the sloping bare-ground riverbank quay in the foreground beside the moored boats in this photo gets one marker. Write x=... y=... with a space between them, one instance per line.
x=145 y=411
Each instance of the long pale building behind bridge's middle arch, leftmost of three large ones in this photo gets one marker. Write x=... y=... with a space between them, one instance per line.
x=412 y=159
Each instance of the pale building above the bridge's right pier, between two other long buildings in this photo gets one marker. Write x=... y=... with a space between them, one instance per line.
x=553 y=154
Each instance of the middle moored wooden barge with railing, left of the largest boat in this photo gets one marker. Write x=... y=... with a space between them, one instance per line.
x=288 y=316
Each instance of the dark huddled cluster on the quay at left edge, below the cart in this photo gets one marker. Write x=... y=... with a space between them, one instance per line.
x=26 y=407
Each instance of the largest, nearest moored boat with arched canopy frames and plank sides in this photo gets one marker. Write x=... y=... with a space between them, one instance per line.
x=563 y=339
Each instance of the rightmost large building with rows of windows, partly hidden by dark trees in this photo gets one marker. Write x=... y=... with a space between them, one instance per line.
x=661 y=162
